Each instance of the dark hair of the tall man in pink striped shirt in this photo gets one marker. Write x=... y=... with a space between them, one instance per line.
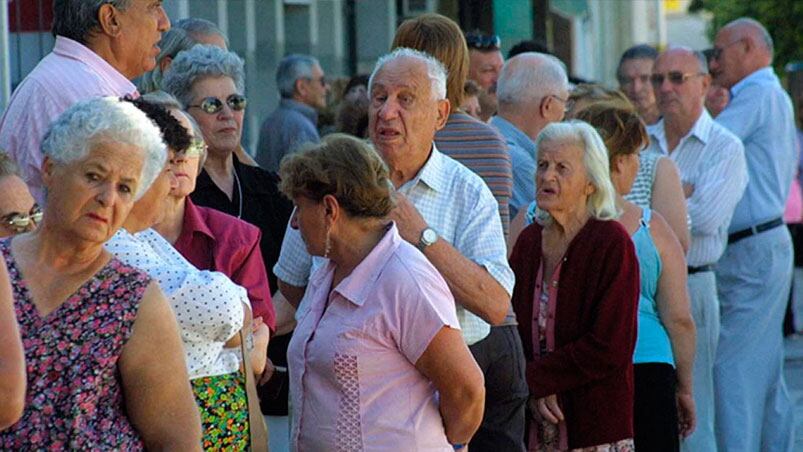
x=77 y=19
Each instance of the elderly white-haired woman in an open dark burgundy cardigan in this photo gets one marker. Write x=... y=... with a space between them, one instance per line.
x=576 y=299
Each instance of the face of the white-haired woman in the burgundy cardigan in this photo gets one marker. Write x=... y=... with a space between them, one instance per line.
x=561 y=178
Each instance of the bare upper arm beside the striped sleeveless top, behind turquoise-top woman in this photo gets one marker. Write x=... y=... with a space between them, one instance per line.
x=669 y=200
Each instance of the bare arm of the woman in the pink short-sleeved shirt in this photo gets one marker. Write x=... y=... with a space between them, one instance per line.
x=448 y=363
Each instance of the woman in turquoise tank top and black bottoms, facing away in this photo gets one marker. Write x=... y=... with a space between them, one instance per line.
x=664 y=406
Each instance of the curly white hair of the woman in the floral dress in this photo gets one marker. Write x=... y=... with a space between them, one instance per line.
x=73 y=134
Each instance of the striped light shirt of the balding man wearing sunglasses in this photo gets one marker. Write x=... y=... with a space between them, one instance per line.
x=711 y=159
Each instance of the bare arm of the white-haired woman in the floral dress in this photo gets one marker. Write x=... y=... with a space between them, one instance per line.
x=157 y=390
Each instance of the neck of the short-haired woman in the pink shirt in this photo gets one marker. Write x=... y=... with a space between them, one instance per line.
x=355 y=243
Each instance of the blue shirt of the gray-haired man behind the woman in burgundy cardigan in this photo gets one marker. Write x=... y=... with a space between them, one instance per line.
x=522 y=159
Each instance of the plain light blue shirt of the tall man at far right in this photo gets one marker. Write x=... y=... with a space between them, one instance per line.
x=760 y=114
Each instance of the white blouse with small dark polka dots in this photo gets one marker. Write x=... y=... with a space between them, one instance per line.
x=208 y=306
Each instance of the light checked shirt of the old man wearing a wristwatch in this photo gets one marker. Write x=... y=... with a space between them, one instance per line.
x=459 y=206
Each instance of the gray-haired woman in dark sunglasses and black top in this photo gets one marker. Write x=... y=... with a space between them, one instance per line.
x=209 y=82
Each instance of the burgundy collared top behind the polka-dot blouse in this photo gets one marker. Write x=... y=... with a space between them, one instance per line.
x=213 y=240
